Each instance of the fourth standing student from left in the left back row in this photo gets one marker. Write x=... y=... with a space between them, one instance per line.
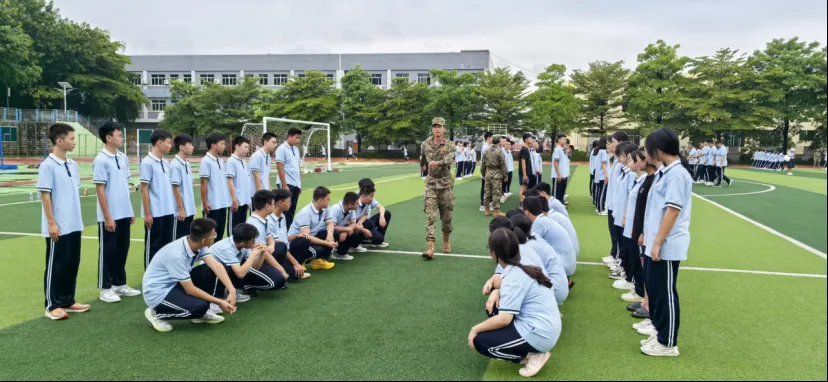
x=182 y=180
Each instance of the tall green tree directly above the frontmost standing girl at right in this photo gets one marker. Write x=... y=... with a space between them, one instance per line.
x=655 y=88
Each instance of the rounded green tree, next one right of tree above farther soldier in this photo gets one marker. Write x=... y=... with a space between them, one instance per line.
x=553 y=107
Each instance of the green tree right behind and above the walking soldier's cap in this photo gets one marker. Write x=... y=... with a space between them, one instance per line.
x=455 y=99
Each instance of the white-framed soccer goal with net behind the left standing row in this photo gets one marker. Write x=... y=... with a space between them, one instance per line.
x=315 y=144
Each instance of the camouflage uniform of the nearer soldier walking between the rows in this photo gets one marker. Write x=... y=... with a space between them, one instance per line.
x=439 y=190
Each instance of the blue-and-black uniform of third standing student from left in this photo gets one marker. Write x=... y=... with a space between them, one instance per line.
x=155 y=172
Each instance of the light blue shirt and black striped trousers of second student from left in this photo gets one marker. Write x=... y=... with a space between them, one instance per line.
x=112 y=171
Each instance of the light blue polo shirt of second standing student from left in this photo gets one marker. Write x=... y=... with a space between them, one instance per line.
x=113 y=172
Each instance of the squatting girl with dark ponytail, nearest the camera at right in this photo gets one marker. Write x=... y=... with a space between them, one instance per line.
x=527 y=324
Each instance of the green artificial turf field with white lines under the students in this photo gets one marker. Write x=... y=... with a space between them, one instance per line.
x=753 y=302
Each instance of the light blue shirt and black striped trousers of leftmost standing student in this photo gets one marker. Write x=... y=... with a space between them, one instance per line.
x=61 y=180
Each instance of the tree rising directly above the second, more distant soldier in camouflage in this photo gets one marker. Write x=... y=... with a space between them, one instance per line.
x=501 y=95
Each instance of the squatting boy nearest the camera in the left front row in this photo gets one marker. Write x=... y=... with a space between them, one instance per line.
x=176 y=289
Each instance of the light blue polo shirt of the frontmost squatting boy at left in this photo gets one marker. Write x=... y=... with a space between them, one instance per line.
x=170 y=266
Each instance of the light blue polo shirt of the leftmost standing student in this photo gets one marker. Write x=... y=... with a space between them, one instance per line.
x=62 y=180
